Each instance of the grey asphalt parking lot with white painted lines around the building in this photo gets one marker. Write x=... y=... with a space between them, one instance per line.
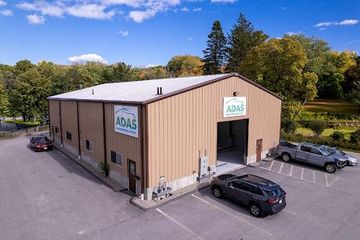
x=48 y=196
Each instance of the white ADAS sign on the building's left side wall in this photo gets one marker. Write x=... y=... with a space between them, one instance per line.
x=126 y=120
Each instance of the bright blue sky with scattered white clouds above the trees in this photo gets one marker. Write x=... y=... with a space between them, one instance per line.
x=149 y=32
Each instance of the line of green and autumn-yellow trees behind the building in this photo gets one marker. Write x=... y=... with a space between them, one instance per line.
x=296 y=67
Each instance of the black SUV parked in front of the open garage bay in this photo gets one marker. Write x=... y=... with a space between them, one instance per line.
x=262 y=196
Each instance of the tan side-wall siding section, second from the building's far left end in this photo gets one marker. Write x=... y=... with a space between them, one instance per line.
x=69 y=122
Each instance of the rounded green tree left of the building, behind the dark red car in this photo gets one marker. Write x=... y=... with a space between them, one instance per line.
x=28 y=98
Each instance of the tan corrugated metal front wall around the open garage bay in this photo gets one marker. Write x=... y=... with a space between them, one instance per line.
x=181 y=128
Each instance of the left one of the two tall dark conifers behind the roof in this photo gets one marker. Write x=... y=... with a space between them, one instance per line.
x=215 y=52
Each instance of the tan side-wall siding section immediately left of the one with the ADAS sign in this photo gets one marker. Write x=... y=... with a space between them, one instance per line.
x=91 y=128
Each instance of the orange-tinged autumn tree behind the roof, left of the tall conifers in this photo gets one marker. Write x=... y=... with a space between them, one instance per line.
x=185 y=65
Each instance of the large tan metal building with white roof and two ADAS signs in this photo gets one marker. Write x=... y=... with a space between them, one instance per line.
x=176 y=130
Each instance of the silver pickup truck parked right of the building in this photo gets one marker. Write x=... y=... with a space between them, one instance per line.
x=312 y=154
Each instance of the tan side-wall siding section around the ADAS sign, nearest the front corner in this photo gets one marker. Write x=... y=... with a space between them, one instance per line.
x=129 y=147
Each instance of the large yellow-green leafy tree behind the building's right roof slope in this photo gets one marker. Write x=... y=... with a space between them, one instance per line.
x=279 y=66
